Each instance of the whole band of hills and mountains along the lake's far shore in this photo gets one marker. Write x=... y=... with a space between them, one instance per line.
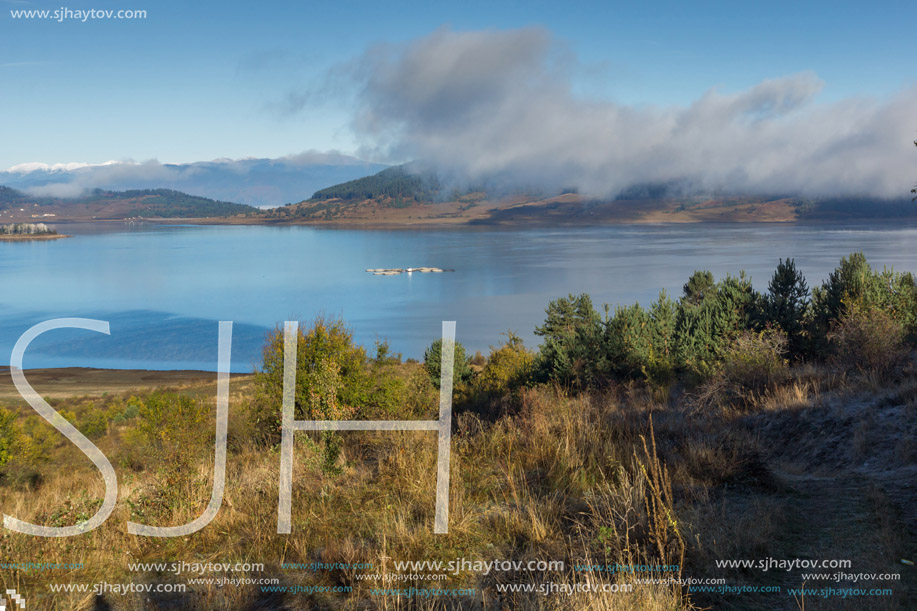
x=399 y=195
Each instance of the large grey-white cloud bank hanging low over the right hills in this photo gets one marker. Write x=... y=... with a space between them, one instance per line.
x=501 y=103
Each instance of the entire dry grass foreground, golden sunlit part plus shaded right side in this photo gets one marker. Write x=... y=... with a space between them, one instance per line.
x=619 y=477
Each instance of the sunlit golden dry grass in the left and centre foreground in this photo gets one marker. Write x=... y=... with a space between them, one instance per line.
x=555 y=478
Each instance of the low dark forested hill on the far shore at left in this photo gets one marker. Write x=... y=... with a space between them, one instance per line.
x=105 y=205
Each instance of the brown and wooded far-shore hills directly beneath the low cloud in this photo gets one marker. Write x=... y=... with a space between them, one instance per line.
x=402 y=195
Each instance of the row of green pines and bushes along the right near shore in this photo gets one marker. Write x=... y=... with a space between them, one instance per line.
x=859 y=317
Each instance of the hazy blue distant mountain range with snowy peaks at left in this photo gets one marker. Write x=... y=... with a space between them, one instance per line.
x=257 y=182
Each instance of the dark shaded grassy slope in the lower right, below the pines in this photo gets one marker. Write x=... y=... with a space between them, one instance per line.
x=841 y=483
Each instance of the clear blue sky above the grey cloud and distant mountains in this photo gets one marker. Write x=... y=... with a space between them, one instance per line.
x=198 y=81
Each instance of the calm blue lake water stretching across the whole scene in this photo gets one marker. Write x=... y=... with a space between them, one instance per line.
x=163 y=288
